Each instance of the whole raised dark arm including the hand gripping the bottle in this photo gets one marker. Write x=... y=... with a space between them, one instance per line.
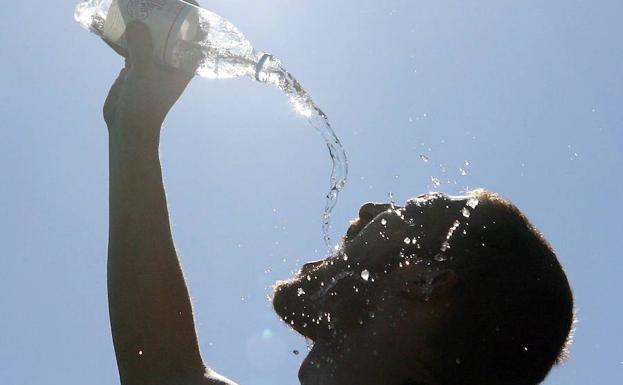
x=150 y=310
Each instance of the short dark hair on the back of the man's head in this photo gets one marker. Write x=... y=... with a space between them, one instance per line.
x=516 y=313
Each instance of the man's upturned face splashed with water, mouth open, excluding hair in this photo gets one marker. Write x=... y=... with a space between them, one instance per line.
x=363 y=304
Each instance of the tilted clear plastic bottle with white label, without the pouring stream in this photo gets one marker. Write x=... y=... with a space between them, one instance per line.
x=184 y=36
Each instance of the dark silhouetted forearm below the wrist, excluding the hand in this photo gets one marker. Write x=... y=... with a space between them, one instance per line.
x=150 y=310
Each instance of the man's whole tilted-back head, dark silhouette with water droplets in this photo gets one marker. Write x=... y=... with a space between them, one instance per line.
x=446 y=290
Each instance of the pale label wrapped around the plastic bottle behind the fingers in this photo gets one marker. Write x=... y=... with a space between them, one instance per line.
x=164 y=18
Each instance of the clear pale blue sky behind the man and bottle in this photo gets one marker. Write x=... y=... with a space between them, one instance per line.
x=529 y=92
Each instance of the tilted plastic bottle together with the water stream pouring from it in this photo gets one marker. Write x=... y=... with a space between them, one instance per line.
x=198 y=41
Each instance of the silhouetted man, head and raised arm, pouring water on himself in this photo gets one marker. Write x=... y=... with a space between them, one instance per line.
x=442 y=291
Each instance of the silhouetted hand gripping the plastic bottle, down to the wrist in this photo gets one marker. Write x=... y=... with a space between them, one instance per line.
x=144 y=91
